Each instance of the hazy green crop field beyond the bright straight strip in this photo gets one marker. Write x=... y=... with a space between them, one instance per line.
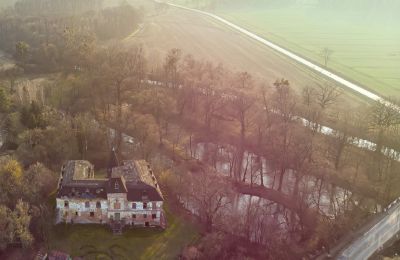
x=366 y=47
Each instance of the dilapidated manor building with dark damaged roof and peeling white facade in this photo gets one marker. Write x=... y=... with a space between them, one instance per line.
x=130 y=195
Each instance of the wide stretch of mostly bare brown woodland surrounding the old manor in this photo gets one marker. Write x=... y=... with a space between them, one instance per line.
x=214 y=136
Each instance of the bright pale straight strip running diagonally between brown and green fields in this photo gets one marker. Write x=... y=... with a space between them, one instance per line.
x=342 y=81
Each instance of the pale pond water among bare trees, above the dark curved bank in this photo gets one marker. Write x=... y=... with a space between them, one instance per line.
x=329 y=199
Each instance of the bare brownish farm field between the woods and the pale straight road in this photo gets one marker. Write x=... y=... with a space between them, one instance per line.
x=207 y=39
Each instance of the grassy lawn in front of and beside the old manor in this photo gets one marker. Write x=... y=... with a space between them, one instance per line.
x=97 y=242
